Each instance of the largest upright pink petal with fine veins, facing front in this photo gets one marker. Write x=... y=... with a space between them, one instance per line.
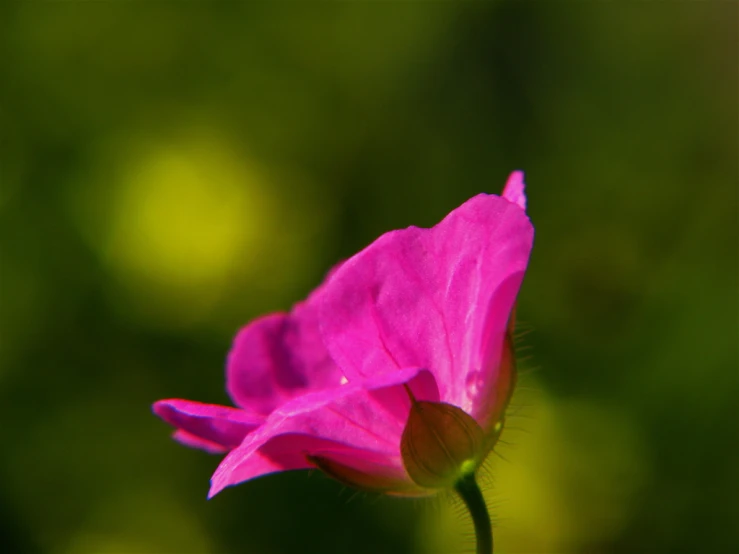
x=435 y=298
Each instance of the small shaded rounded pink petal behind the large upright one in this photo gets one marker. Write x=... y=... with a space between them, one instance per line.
x=278 y=357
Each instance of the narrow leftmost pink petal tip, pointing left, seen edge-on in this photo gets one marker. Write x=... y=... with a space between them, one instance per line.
x=208 y=426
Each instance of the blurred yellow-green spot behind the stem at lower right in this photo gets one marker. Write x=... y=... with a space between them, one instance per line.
x=568 y=485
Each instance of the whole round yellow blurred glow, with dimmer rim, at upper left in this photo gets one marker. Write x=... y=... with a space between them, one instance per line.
x=178 y=220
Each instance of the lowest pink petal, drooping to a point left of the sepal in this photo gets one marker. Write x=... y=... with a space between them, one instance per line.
x=361 y=420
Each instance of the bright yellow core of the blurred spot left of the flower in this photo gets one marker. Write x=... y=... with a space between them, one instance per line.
x=182 y=216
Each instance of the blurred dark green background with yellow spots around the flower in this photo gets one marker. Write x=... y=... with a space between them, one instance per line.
x=171 y=169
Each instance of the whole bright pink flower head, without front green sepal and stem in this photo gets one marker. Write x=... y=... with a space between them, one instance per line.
x=420 y=314
